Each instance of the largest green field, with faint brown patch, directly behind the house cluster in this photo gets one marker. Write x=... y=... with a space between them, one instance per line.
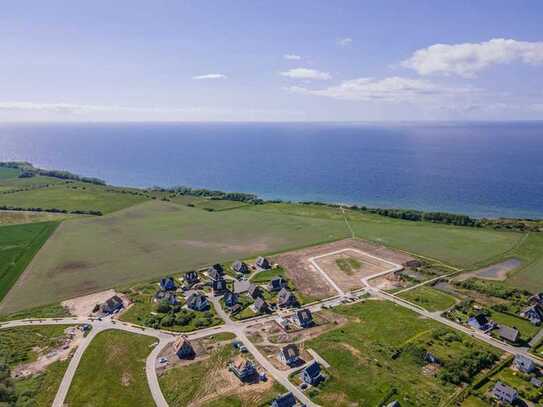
x=152 y=240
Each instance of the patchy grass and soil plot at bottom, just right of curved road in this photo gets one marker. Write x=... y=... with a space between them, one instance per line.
x=182 y=385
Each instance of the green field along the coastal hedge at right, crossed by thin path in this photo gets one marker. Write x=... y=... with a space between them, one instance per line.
x=459 y=246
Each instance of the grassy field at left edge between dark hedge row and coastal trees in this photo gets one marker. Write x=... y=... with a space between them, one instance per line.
x=72 y=196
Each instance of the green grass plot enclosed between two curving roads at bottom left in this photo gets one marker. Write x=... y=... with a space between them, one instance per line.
x=113 y=368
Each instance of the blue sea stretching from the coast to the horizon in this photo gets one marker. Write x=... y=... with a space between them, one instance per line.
x=481 y=169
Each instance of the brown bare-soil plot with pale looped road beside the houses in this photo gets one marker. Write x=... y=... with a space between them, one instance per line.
x=310 y=281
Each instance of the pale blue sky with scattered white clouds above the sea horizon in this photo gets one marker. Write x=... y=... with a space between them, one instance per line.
x=271 y=60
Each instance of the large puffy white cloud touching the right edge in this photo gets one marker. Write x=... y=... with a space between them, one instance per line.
x=469 y=58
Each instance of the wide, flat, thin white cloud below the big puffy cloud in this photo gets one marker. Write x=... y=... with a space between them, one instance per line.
x=393 y=89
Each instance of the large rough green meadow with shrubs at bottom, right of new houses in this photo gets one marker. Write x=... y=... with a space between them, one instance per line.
x=382 y=347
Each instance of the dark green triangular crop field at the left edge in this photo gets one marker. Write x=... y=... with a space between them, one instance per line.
x=18 y=245
